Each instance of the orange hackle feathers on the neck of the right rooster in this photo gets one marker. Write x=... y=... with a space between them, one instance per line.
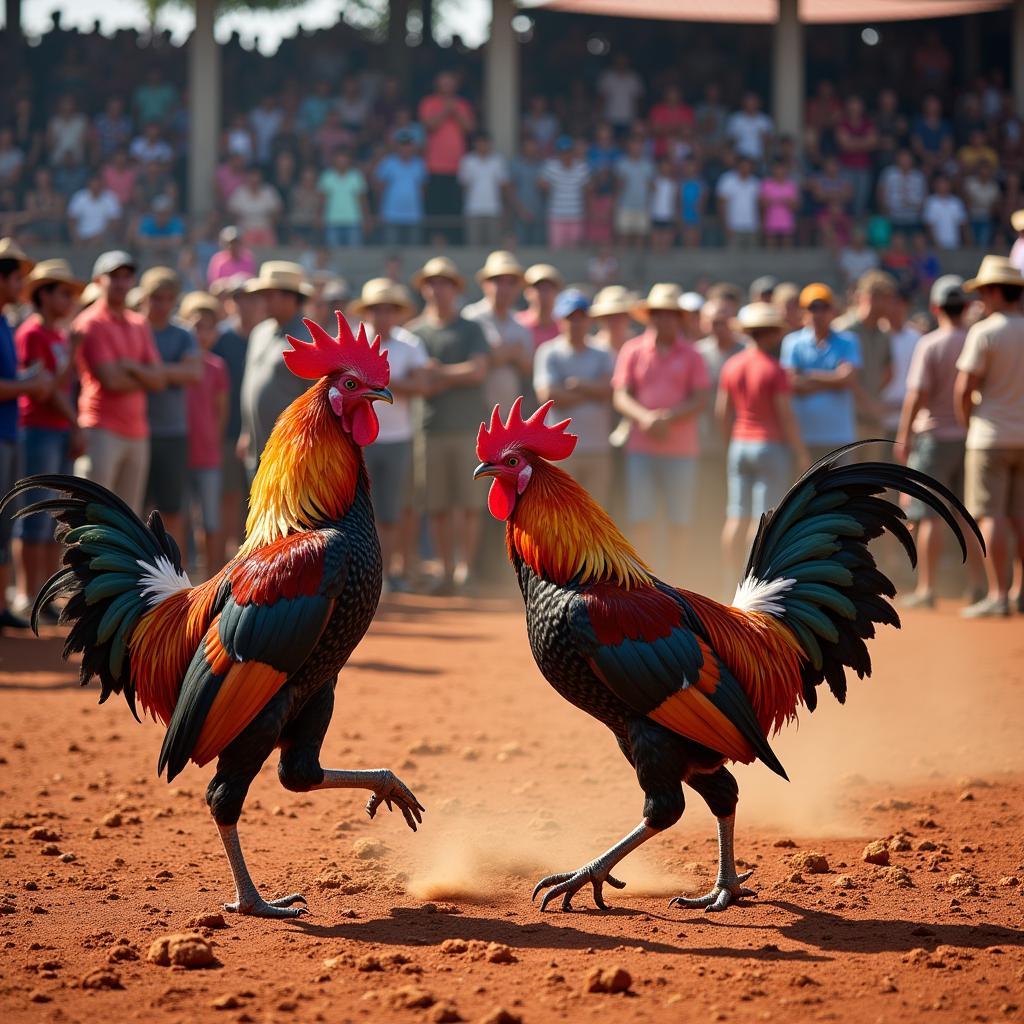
x=563 y=534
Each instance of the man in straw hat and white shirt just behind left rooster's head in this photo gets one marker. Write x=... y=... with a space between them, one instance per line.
x=386 y=305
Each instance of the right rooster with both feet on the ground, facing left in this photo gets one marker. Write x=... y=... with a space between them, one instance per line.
x=688 y=685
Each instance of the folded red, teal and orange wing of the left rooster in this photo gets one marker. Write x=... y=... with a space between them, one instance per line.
x=280 y=601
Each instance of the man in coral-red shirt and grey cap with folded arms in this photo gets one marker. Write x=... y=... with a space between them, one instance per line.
x=119 y=365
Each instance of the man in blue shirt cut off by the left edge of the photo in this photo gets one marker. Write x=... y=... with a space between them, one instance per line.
x=15 y=265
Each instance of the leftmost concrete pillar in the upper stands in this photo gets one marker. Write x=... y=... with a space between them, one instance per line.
x=204 y=110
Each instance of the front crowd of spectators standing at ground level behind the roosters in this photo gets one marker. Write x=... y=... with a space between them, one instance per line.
x=696 y=411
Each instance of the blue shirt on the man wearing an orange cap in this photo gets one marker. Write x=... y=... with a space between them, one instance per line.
x=827 y=417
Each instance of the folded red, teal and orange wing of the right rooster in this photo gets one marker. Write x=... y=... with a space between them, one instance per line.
x=638 y=645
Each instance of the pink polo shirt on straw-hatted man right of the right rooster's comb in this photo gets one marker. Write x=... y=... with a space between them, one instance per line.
x=662 y=379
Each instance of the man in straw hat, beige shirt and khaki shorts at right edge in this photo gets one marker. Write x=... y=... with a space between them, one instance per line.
x=992 y=366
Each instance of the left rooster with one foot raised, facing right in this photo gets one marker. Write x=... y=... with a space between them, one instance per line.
x=248 y=661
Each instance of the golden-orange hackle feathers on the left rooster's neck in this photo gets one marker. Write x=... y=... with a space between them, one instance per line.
x=308 y=474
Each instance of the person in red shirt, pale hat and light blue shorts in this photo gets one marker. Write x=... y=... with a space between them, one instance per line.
x=754 y=412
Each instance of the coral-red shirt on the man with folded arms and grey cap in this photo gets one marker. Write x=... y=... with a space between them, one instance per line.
x=108 y=337
